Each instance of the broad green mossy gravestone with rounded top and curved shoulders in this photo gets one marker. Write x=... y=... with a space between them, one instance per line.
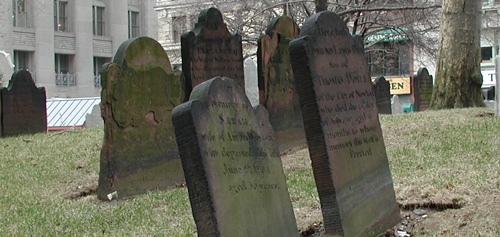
x=139 y=91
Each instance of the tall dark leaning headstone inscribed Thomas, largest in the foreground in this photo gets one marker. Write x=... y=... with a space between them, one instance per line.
x=343 y=132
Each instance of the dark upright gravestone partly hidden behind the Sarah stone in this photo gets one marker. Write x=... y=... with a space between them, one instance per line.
x=209 y=50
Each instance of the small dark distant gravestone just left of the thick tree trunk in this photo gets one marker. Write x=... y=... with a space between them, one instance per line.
x=422 y=89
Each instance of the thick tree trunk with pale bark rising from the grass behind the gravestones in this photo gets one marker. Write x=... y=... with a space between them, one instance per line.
x=458 y=74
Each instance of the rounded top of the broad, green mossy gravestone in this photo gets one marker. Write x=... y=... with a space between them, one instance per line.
x=142 y=52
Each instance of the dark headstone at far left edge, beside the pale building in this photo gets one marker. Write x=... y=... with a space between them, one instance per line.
x=23 y=106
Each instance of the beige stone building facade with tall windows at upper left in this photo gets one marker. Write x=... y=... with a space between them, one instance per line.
x=63 y=43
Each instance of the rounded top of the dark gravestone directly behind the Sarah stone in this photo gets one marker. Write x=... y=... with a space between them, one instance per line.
x=211 y=23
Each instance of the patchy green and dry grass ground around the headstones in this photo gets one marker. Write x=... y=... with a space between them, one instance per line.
x=446 y=163
